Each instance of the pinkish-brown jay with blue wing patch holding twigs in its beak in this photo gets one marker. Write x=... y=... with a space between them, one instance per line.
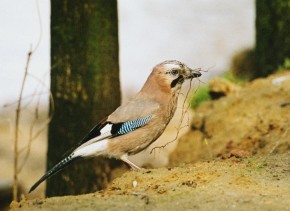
x=135 y=125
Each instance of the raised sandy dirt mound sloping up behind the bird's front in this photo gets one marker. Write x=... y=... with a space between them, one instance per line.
x=255 y=120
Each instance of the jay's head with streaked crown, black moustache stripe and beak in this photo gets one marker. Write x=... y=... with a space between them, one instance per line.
x=171 y=74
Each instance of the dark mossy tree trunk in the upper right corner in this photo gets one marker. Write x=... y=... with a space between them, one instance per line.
x=272 y=35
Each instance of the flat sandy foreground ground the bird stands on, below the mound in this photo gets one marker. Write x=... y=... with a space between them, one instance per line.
x=252 y=184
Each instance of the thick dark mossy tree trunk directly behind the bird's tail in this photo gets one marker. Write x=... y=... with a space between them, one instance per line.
x=85 y=85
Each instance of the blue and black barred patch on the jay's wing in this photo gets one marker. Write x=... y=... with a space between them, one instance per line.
x=130 y=126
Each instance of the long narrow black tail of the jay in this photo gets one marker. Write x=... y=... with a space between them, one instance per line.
x=54 y=170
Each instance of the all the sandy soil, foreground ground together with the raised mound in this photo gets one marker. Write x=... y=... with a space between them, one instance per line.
x=235 y=157
